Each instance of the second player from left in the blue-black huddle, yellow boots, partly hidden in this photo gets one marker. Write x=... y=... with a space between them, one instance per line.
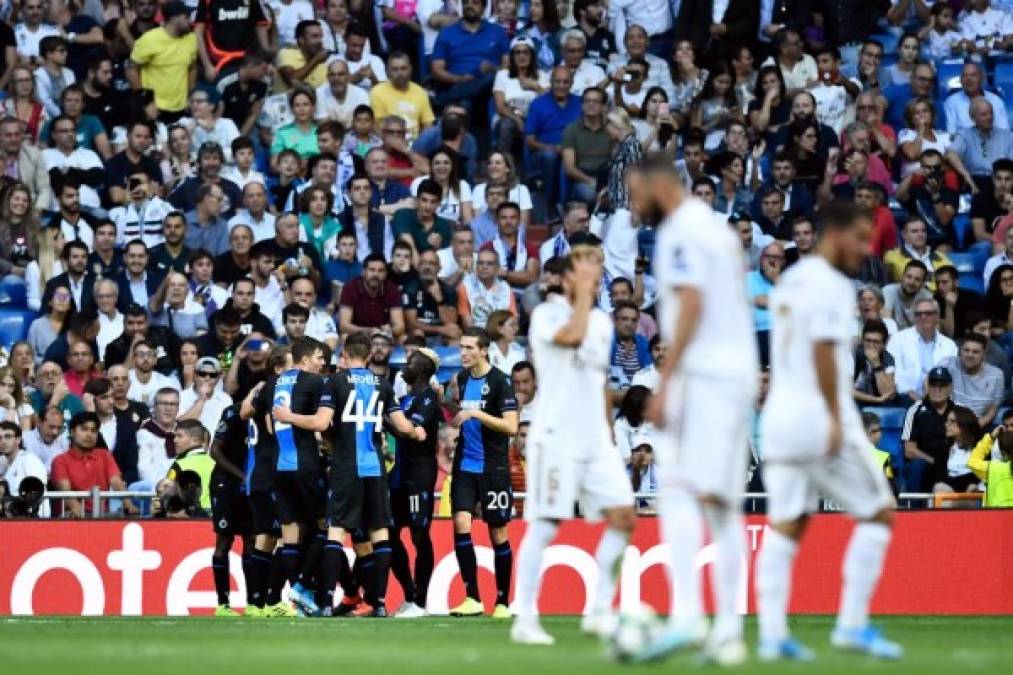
x=266 y=575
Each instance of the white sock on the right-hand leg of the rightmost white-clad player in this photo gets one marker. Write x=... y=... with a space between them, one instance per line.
x=864 y=564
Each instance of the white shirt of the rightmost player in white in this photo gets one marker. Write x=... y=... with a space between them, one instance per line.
x=812 y=304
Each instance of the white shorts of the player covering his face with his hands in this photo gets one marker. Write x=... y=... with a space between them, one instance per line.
x=559 y=479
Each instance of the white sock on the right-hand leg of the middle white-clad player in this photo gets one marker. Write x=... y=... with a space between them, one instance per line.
x=729 y=535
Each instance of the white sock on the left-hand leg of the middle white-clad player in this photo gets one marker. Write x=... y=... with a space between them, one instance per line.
x=682 y=530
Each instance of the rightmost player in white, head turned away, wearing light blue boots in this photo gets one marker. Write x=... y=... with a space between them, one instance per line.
x=815 y=443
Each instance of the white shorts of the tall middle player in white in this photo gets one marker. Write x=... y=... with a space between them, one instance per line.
x=705 y=446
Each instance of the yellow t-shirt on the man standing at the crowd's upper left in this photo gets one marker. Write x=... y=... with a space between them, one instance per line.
x=165 y=62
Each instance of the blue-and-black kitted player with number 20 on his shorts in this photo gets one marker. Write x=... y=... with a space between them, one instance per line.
x=481 y=480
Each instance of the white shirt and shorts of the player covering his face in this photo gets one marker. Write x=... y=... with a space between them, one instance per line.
x=571 y=455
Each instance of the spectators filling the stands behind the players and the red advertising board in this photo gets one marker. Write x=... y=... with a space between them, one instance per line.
x=189 y=186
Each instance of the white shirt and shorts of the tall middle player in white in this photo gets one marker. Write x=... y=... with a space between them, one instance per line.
x=711 y=397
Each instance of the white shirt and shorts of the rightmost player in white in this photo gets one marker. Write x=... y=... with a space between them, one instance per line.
x=815 y=304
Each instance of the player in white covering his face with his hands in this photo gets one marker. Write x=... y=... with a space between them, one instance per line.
x=572 y=456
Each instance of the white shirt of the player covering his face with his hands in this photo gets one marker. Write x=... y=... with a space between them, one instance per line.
x=579 y=423
